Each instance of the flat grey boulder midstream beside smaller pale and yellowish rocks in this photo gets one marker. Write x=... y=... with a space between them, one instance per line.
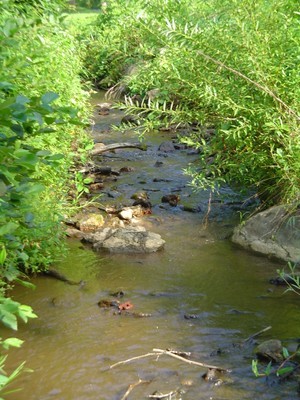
x=126 y=240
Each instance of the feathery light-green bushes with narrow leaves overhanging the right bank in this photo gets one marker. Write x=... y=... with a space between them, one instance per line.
x=233 y=65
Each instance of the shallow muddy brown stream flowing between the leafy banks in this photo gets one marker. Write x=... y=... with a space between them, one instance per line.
x=204 y=294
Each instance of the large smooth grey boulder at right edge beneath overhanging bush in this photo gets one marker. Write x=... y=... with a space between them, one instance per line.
x=274 y=232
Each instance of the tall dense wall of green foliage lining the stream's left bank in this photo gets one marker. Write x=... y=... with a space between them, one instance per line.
x=40 y=131
